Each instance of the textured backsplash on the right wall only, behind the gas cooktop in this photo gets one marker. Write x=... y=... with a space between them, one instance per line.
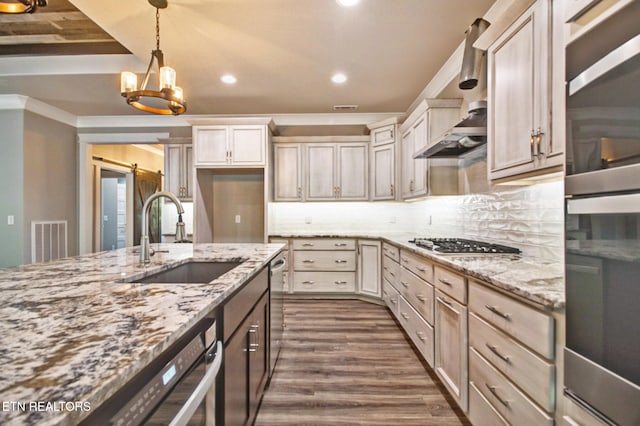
x=530 y=218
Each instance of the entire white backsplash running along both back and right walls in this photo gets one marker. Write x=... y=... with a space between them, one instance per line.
x=530 y=218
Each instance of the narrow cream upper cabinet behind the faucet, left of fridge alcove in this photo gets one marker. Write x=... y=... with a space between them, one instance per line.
x=178 y=170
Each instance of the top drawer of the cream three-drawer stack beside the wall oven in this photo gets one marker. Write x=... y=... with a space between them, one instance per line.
x=530 y=326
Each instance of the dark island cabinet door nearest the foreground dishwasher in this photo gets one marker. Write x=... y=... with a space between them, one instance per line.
x=236 y=379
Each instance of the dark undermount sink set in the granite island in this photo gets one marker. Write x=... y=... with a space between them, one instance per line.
x=190 y=272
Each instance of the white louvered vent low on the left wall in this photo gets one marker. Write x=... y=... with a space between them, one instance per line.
x=48 y=240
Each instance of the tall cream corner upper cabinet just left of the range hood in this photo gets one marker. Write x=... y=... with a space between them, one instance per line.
x=382 y=160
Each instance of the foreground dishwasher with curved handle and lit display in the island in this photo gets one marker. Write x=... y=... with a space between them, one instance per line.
x=178 y=388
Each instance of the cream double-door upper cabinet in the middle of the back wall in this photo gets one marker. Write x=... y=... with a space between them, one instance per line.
x=336 y=171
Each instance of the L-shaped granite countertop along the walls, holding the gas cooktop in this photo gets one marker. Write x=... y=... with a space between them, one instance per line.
x=537 y=280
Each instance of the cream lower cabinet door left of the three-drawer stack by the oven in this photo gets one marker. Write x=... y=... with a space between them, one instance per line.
x=451 y=347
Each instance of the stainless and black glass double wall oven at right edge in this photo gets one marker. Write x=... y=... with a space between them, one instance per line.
x=602 y=231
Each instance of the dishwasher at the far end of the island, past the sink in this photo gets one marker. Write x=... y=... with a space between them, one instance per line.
x=276 y=283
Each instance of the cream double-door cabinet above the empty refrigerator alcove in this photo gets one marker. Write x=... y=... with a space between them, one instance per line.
x=230 y=145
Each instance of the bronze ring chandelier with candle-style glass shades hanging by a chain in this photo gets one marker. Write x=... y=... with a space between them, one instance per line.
x=168 y=99
